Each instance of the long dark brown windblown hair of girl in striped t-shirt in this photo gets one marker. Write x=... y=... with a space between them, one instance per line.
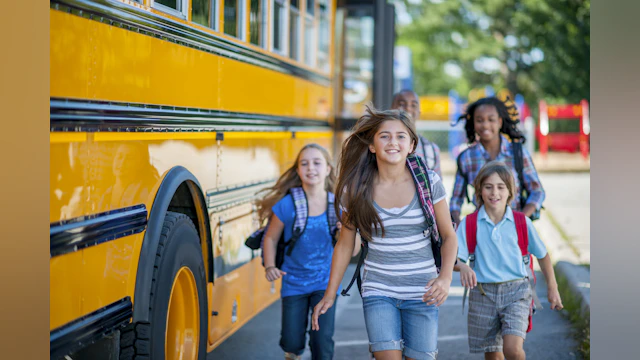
x=358 y=169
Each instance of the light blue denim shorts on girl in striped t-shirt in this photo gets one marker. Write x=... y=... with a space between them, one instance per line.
x=407 y=325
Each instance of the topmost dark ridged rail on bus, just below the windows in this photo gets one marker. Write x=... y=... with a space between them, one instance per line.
x=128 y=17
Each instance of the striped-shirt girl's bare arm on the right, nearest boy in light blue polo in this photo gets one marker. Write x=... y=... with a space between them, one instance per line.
x=439 y=290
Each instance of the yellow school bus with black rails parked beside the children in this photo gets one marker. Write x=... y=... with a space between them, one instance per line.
x=166 y=118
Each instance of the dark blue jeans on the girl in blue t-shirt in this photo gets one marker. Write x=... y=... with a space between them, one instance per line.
x=296 y=313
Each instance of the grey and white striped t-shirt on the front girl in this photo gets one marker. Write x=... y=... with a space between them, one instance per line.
x=400 y=264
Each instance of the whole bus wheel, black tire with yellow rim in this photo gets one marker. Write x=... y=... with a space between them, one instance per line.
x=178 y=305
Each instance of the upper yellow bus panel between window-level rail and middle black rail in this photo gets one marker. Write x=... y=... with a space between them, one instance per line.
x=96 y=61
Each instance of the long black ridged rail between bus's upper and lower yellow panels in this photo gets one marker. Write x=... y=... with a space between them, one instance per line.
x=82 y=115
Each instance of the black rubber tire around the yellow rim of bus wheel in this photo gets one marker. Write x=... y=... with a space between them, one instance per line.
x=179 y=246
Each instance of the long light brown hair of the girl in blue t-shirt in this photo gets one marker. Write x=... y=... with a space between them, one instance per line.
x=291 y=179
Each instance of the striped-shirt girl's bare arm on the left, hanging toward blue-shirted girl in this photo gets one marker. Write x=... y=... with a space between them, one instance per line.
x=342 y=254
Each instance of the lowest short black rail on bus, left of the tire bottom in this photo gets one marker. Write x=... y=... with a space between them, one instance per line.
x=89 y=328
